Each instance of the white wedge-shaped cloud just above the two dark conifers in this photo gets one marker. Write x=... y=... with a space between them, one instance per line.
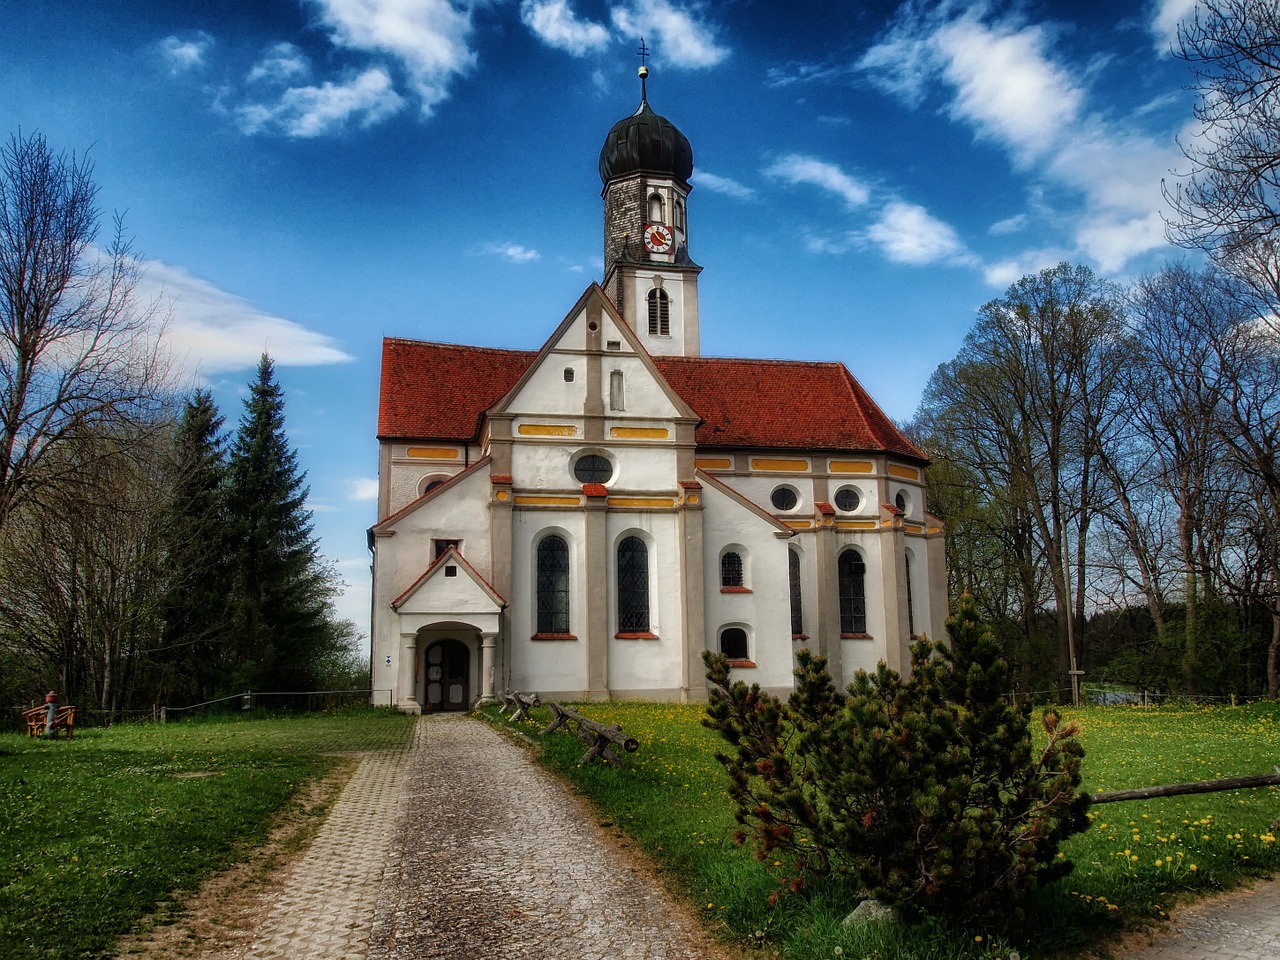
x=214 y=332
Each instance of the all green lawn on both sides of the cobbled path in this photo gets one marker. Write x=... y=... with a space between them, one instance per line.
x=99 y=831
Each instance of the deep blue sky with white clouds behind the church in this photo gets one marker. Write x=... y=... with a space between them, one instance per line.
x=307 y=177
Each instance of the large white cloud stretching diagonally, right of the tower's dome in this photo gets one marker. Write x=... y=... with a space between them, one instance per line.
x=1003 y=79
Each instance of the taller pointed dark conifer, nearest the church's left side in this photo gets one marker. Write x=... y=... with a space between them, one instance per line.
x=282 y=619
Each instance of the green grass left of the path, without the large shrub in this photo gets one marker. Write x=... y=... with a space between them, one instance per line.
x=98 y=831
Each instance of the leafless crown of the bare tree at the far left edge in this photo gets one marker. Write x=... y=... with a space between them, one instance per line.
x=79 y=354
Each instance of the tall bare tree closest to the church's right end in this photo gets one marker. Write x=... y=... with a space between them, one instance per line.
x=1023 y=409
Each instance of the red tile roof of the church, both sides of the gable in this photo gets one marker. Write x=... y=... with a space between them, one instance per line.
x=441 y=392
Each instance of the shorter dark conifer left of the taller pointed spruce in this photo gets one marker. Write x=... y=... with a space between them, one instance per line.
x=196 y=610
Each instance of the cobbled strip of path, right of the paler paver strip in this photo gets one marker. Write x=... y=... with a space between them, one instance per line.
x=495 y=858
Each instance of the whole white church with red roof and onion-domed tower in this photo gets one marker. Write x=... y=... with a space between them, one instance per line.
x=583 y=522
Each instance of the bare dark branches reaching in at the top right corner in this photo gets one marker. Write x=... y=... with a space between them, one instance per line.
x=1229 y=202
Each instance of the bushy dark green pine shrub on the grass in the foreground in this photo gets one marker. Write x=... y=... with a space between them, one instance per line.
x=927 y=789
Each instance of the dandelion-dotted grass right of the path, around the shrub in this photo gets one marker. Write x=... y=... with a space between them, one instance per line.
x=1135 y=862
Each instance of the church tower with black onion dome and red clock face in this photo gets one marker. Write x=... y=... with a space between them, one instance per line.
x=646 y=166
